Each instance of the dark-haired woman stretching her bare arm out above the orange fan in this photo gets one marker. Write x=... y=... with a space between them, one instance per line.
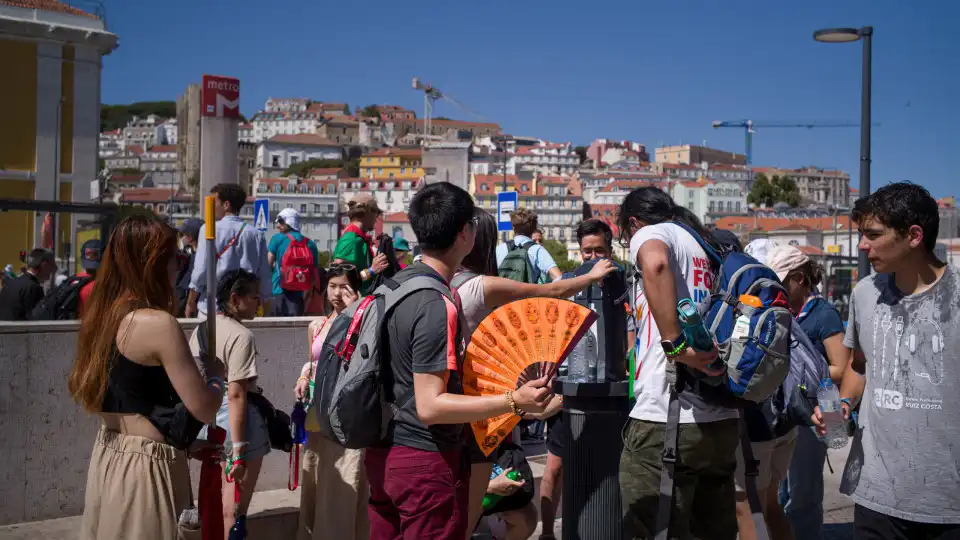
x=481 y=291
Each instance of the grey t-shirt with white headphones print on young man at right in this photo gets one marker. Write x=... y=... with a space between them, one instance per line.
x=905 y=459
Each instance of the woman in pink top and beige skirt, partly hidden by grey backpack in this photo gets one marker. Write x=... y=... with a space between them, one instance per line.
x=334 y=491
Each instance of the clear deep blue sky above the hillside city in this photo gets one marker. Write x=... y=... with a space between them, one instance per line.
x=654 y=72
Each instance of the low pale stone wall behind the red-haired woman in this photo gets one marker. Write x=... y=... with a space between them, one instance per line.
x=48 y=438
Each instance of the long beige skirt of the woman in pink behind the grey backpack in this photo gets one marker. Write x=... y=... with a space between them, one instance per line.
x=333 y=492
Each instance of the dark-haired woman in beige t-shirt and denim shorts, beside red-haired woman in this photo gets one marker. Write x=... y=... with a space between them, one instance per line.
x=247 y=439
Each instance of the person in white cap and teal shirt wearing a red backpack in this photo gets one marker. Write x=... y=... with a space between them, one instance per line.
x=293 y=258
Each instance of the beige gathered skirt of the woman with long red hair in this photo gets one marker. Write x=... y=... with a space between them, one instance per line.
x=136 y=488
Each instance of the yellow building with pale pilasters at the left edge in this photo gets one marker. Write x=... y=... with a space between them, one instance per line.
x=50 y=55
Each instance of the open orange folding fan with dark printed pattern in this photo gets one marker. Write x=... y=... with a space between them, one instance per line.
x=517 y=343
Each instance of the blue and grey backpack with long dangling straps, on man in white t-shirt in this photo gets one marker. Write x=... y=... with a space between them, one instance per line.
x=755 y=368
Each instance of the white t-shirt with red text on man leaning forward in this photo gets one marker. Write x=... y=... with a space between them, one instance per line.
x=694 y=277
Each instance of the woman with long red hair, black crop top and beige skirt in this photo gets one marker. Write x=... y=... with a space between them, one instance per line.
x=134 y=369
